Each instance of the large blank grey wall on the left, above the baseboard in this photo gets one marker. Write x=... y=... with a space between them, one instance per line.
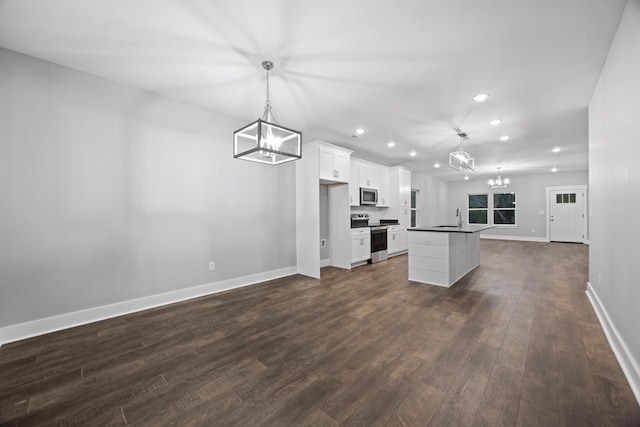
x=110 y=193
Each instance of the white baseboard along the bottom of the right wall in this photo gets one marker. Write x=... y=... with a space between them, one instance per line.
x=628 y=364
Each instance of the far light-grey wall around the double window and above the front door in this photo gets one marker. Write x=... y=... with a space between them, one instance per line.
x=531 y=215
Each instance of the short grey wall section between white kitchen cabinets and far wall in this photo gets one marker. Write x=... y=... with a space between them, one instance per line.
x=433 y=199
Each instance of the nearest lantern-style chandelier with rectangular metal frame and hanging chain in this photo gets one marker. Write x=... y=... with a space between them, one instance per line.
x=265 y=141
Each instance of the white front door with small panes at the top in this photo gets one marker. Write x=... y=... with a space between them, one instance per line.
x=566 y=215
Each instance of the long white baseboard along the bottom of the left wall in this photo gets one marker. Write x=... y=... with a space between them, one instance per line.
x=43 y=326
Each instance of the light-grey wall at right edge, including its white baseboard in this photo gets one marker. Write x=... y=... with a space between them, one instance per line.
x=614 y=180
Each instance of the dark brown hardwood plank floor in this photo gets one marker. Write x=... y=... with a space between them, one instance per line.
x=515 y=343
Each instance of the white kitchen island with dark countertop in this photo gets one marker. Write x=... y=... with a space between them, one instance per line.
x=442 y=255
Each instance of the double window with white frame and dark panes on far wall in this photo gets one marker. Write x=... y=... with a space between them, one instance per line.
x=500 y=209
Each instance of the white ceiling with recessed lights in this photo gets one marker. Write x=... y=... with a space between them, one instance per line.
x=404 y=70
